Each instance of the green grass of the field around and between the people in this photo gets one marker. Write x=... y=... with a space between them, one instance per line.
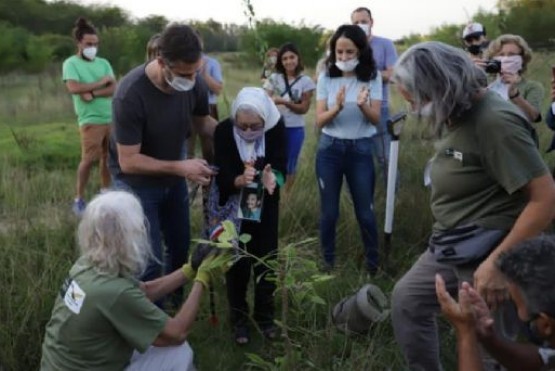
x=39 y=152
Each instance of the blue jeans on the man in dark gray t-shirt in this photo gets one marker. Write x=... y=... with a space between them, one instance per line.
x=167 y=211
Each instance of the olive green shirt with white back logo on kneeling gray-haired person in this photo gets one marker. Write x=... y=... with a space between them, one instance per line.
x=97 y=322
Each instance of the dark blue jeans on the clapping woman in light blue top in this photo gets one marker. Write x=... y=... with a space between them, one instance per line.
x=352 y=159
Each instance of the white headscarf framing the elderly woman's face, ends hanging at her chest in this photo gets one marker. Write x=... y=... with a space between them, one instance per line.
x=257 y=100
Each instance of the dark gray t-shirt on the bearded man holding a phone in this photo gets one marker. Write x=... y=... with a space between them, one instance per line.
x=158 y=121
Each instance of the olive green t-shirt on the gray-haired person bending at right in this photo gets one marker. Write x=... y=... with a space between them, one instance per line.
x=481 y=165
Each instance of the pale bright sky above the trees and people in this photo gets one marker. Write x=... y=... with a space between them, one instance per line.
x=392 y=18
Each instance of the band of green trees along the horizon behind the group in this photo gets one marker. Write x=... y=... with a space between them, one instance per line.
x=36 y=33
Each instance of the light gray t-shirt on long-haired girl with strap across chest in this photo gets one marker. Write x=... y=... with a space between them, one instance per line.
x=298 y=86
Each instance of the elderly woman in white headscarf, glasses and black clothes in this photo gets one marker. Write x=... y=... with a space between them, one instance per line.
x=250 y=151
